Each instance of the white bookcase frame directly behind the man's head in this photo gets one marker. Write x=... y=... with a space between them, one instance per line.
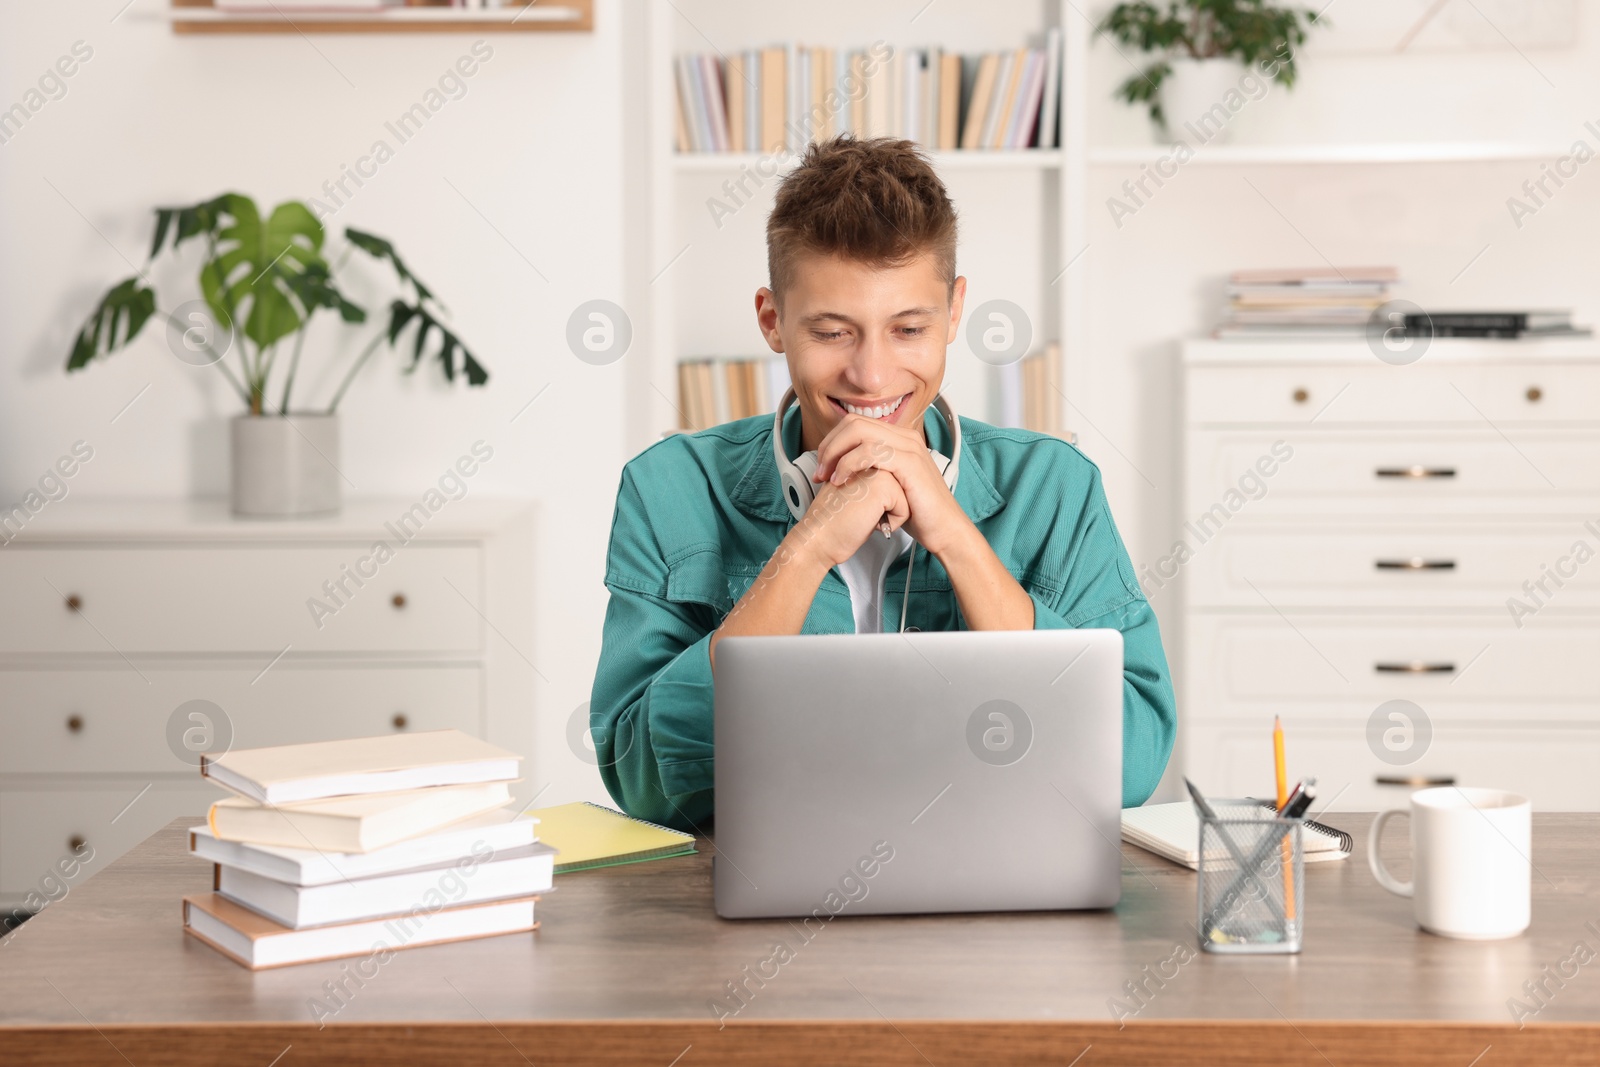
x=692 y=284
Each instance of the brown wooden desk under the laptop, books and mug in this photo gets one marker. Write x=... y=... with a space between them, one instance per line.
x=630 y=961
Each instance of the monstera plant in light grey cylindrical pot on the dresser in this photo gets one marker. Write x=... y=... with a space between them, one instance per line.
x=262 y=284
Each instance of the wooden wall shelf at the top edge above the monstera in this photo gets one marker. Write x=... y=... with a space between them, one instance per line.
x=201 y=17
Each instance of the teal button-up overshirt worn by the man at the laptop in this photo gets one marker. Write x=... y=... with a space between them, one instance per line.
x=698 y=516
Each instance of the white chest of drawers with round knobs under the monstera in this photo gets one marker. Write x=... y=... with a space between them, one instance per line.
x=118 y=613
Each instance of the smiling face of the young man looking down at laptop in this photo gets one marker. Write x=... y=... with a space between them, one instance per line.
x=863 y=340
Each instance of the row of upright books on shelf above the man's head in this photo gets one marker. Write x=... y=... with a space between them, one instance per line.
x=788 y=95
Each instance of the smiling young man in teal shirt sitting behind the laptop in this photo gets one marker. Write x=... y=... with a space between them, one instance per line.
x=863 y=305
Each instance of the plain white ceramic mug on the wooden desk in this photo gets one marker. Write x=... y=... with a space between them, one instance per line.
x=1471 y=869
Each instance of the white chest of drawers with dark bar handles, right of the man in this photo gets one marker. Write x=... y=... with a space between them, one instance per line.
x=1359 y=533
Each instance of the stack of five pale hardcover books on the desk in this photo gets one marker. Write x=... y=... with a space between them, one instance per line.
x=364 y=847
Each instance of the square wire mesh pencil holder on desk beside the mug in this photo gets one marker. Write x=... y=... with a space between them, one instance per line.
x=1250 y=887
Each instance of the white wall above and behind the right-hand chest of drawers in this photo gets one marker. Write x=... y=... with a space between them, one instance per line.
x=1159 y=276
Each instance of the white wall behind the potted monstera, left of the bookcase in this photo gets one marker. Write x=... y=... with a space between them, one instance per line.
x=535 y=150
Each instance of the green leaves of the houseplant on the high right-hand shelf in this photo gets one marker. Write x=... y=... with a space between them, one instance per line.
x=1186 y=33
